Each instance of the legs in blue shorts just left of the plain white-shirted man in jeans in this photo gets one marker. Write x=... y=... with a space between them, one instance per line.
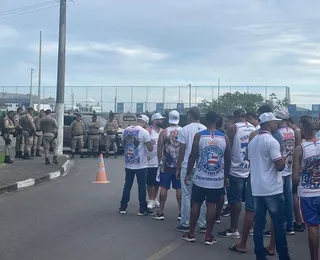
x=235 y=195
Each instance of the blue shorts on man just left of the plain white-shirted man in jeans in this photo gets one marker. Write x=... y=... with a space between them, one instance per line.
x=236 y=191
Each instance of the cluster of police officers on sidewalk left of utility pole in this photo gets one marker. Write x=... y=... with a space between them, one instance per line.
x=30 y=132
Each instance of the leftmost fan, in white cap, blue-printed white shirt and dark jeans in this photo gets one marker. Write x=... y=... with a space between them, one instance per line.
x=137 y=143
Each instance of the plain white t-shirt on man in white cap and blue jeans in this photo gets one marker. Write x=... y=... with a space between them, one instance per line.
x=263 y=150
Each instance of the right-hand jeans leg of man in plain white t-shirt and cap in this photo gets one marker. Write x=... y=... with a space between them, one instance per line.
x=275 y=206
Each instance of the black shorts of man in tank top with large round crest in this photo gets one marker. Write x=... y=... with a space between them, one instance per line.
x=200 y=194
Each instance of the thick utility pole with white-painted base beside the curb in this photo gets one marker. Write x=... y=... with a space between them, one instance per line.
x=61 y=72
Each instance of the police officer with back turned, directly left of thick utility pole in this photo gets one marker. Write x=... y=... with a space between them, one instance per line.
x=49 y=128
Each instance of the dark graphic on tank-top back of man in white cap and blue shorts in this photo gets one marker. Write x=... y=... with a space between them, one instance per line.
x=171 y=148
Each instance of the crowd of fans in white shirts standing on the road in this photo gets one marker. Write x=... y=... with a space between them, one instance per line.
x=262 y=159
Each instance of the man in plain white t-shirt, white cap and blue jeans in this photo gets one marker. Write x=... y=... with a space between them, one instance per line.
x=267 y=186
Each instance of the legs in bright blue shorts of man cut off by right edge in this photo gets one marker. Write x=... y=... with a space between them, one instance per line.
x=310 y=208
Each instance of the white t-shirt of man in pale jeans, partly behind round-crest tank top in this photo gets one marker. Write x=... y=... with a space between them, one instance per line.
x=186 y=136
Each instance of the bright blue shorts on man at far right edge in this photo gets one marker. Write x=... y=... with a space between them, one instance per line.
x=310 y=209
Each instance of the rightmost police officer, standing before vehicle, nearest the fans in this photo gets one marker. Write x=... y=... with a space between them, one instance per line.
x=111 y=129
